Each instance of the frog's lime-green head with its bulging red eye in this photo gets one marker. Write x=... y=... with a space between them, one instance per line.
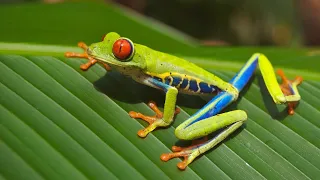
x=117 y=51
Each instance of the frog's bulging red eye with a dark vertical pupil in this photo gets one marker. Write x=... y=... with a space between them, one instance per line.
x=122 y=49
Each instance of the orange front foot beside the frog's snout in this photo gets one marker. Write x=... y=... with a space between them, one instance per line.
x=91 y=61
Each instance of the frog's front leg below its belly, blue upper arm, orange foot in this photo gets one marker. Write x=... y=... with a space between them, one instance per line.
x=160 y=119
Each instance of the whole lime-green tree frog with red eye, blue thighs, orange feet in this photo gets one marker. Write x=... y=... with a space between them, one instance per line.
x=174 y=75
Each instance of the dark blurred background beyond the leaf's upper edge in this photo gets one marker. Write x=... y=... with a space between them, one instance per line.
x=232 y=22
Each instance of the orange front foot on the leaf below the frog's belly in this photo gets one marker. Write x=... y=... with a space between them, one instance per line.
x=154 y=121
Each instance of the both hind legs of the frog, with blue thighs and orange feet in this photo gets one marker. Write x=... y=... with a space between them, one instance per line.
x=207 y=119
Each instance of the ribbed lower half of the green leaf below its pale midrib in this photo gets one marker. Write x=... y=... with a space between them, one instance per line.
x=57 y=121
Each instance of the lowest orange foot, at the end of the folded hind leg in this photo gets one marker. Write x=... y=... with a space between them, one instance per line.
x=188 y=153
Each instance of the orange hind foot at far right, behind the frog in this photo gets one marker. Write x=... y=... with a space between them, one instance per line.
x=285 y=87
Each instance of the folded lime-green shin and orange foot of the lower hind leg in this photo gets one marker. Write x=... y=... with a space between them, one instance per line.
x=233 y=120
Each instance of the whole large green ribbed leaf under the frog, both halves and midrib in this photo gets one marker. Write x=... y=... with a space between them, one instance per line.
x=58 y=122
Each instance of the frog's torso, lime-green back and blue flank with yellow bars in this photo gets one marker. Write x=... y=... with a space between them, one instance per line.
x=180 y=73
